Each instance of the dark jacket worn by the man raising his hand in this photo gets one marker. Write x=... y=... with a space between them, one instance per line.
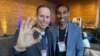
x=34 y=49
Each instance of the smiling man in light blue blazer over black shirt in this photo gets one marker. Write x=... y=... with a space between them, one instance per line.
x=68 y=41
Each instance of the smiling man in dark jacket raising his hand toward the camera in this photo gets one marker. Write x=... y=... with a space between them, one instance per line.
x=28 y=44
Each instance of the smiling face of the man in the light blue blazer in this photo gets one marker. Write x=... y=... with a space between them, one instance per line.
x=62 y=15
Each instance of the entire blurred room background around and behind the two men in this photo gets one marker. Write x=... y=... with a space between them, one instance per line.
x=85 y=13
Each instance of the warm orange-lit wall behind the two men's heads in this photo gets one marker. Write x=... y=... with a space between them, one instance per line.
x=13 y=11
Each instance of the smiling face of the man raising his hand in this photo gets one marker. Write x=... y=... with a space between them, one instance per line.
x=43 y=17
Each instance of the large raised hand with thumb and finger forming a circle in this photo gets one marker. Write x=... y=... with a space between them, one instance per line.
x=25 y=38
